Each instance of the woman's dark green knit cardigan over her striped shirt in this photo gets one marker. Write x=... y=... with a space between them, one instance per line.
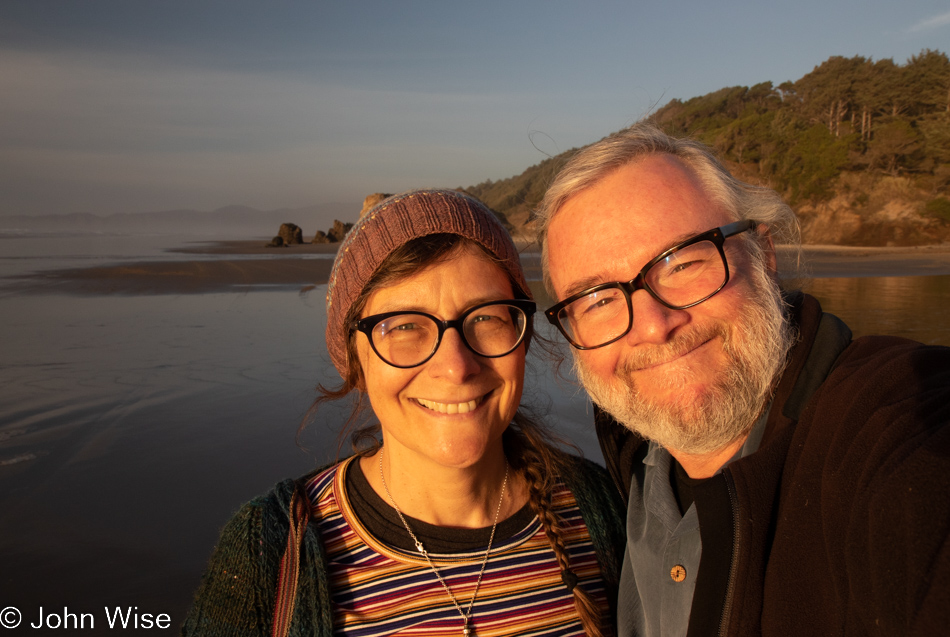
x=237 y=592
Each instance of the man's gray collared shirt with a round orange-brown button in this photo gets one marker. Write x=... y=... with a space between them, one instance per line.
x=663 y=548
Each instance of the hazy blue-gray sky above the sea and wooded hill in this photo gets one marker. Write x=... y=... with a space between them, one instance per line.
x=113 y=106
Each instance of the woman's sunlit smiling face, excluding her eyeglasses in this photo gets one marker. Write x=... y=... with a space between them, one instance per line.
x=452 y=409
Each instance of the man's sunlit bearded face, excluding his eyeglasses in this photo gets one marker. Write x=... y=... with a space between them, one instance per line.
x=675 y=367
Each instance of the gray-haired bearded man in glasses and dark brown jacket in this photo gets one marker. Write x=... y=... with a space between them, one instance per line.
x=782 y=478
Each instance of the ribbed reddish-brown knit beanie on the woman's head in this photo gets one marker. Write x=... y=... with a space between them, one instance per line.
x=393 y=223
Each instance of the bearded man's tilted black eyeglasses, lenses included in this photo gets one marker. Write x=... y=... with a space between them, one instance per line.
x=683 y=276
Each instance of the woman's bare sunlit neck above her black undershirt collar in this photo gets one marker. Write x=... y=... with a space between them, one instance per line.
x=447 y=496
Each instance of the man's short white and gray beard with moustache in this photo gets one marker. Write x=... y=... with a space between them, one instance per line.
x=756 y=345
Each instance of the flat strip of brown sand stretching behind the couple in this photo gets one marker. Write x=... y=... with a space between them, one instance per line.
x=285 y=267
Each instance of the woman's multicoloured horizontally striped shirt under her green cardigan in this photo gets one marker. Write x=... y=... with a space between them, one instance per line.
x=377 y=589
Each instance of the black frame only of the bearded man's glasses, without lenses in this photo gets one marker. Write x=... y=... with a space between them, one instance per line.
x=716 y=236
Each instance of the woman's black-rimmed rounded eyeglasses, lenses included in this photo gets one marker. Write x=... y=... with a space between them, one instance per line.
x=409 y=339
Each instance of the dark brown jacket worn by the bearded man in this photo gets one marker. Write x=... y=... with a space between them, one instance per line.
x=839 y=523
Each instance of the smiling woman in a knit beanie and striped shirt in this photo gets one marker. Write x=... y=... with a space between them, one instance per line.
x=465 y=520
